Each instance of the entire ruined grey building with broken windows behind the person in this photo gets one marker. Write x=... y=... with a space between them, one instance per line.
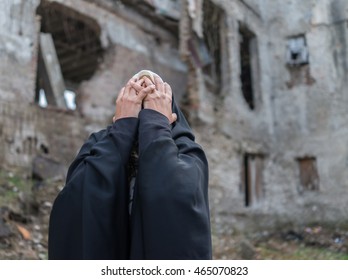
x=264 y=84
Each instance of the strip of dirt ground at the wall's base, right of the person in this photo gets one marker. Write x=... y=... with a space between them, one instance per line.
x=309 y=243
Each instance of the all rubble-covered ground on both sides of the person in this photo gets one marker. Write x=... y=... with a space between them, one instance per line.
x=25 y=205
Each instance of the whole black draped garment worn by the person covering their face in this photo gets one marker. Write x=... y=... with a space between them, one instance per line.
x=170 y=211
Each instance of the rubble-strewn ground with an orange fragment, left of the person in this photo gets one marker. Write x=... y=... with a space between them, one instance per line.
x=25 y=207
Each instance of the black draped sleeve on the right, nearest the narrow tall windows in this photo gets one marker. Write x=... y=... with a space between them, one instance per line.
x=170 y=217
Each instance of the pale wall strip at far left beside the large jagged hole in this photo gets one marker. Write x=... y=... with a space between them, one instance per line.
x=18 y=48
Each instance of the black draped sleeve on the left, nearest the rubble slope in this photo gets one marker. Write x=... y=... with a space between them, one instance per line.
x=89 y=218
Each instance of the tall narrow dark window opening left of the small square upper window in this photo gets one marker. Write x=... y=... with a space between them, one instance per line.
x=249 y=73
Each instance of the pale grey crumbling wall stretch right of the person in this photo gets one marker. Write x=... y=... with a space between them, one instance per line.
x=294 y=131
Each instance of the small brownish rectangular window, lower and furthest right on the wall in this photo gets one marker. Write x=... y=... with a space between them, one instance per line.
x=309 y=176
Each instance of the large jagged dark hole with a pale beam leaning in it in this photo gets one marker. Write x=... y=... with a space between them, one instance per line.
x=69 y=53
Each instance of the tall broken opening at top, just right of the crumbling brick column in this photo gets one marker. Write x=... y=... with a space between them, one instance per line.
x=213 y=24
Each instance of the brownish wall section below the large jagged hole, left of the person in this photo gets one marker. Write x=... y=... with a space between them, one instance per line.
x=28 y=131
